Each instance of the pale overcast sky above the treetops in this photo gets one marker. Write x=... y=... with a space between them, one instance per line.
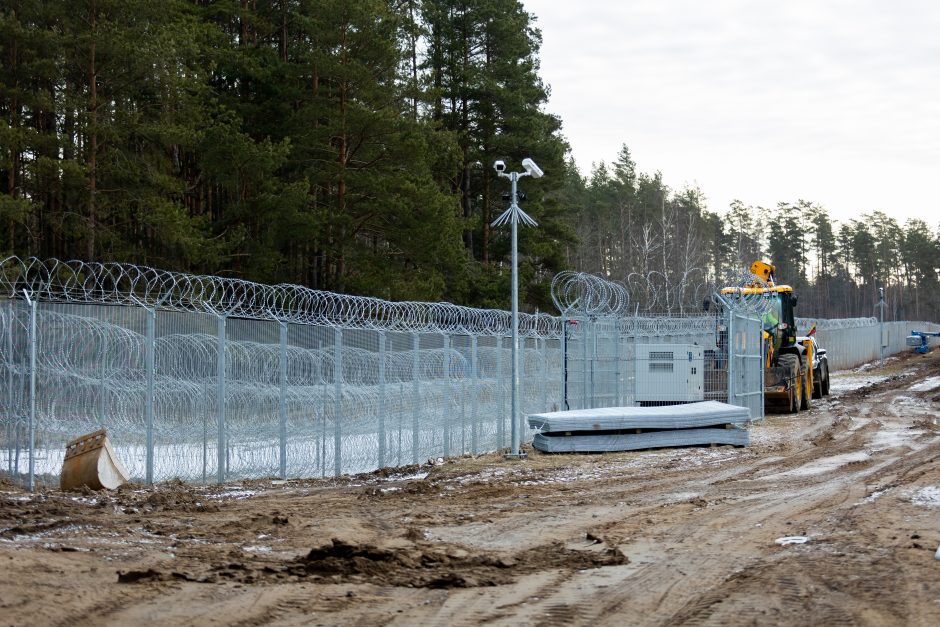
x=832 y=101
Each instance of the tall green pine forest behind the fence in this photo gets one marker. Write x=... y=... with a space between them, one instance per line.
x=347 y=145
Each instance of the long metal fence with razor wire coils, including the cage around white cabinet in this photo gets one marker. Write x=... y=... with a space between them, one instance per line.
x=212 y=379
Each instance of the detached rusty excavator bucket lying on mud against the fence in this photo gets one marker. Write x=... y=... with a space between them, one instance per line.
x=90 y=461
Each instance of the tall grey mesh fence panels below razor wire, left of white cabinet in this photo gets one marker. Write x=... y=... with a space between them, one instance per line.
x=204 y=397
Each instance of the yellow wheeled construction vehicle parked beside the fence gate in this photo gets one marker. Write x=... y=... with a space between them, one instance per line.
x=788 y=357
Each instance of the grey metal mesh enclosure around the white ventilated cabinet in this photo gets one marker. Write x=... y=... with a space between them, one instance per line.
x=622 y=361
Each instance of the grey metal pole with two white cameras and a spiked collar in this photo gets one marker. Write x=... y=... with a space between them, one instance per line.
x=514 y=215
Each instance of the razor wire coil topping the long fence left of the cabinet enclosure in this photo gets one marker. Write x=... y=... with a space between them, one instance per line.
x=114 y=283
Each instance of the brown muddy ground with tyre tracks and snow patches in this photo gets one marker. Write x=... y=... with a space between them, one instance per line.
x=680 y=536
